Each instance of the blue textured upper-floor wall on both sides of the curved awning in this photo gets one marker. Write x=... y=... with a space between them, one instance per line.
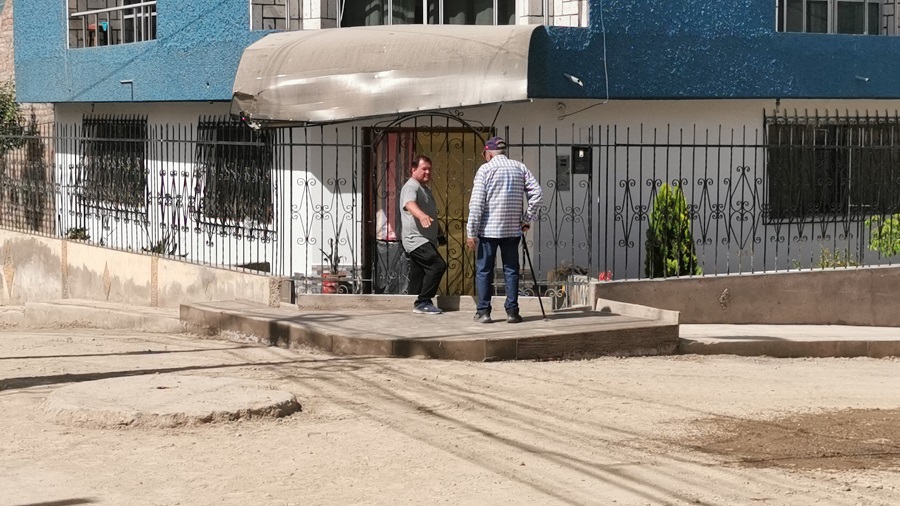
x=655 y=50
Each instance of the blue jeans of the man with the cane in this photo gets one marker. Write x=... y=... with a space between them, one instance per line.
x=485 y=259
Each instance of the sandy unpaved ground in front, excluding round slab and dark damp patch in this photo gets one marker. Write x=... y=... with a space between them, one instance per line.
x=383 y=431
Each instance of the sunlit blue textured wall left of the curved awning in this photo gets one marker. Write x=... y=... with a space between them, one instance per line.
x=198 y=47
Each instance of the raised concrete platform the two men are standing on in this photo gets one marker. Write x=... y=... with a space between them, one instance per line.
x=361 y=330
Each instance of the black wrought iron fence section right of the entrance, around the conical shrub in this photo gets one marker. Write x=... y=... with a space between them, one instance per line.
x=806 y=191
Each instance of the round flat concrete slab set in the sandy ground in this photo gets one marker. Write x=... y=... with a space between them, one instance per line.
x=165 y=401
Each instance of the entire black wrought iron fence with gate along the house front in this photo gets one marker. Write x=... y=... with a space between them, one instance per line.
x=804 y=191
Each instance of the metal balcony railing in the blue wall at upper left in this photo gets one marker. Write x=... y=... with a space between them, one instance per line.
x=126 y=22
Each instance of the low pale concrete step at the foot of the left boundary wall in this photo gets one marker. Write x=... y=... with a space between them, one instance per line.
x=99 y=315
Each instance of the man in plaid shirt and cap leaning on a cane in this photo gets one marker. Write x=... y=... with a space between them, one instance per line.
x=497 y=219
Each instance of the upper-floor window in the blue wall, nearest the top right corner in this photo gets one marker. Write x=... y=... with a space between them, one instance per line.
x=864 y=17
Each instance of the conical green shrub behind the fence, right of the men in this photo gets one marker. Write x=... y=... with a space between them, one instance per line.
x=670 y=245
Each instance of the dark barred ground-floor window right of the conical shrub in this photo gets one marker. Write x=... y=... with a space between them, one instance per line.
x=836 y=166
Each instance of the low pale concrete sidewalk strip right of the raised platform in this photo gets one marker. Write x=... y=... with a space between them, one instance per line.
x=790 y=341
